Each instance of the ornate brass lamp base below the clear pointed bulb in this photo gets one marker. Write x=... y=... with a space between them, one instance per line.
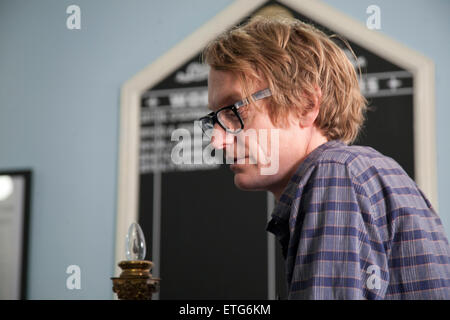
x=135 y=281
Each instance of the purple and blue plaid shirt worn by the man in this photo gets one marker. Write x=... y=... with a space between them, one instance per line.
x=353 y=225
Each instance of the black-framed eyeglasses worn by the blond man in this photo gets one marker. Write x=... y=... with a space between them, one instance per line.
x=228 y=117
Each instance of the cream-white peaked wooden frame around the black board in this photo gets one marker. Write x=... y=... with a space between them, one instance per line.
x=421 y=67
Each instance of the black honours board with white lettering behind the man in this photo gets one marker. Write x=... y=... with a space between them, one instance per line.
x=213 y=238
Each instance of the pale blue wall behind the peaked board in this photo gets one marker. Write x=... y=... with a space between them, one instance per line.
x=59 y=106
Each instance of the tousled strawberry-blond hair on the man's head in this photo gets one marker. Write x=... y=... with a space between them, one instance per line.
x=295 y=59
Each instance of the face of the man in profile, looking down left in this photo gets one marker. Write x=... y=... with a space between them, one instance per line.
x=271 y=154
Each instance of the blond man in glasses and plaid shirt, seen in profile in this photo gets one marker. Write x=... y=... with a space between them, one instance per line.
x=351 y=223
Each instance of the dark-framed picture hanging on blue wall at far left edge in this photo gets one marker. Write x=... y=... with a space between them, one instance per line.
x=15 y=192
